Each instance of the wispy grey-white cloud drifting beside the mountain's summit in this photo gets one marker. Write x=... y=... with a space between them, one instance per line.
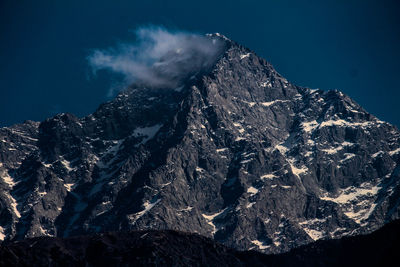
x=159 y=57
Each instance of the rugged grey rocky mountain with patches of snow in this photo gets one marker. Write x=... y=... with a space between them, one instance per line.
x=236 y=153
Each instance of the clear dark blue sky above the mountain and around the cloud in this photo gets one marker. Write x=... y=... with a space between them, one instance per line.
x=348 y=45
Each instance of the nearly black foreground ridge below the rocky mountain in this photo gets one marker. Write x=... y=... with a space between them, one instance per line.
x=172 y=248
